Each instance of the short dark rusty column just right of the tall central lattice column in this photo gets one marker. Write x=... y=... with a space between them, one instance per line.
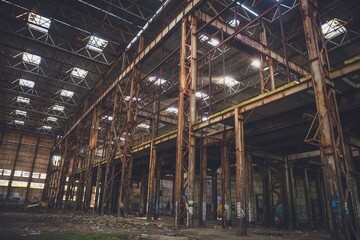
x=203 y=186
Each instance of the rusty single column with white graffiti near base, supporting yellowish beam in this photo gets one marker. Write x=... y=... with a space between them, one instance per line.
x=241 y=181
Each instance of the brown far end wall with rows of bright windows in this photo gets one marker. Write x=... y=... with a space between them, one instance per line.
x=25 y=166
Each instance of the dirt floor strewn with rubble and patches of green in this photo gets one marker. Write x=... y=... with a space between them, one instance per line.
x=18 y=222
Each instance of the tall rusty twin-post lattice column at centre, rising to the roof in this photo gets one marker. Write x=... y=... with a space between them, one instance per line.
x=185 y=147
